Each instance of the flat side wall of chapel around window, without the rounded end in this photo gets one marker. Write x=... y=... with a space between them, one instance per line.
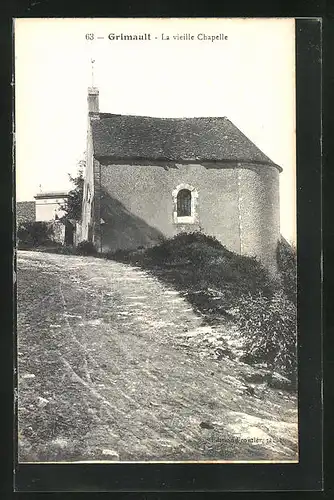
x=137 y=204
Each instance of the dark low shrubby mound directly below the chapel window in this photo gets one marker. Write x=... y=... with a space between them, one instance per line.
x=195 y=263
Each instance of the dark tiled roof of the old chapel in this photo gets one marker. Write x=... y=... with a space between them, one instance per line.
x=172 y=139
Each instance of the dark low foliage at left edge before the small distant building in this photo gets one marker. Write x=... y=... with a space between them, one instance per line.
x=34 y=234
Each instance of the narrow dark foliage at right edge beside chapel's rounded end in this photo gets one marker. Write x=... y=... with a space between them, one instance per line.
x=287 y=266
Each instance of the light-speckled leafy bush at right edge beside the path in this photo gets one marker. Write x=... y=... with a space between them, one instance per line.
x=269 y=329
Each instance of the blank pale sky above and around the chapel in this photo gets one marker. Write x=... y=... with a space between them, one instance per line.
x=248 y=77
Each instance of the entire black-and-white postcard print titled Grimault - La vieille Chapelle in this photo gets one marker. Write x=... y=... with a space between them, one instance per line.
x=155 y=203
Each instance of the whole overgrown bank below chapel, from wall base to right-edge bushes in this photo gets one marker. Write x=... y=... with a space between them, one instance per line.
x=238 y=290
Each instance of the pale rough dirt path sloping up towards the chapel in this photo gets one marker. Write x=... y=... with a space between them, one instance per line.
x=106 y=373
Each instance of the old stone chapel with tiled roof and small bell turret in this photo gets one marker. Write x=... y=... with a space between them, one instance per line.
x=148 y=178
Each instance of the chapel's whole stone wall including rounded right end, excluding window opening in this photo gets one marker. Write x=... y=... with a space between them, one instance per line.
x=238 y=204
